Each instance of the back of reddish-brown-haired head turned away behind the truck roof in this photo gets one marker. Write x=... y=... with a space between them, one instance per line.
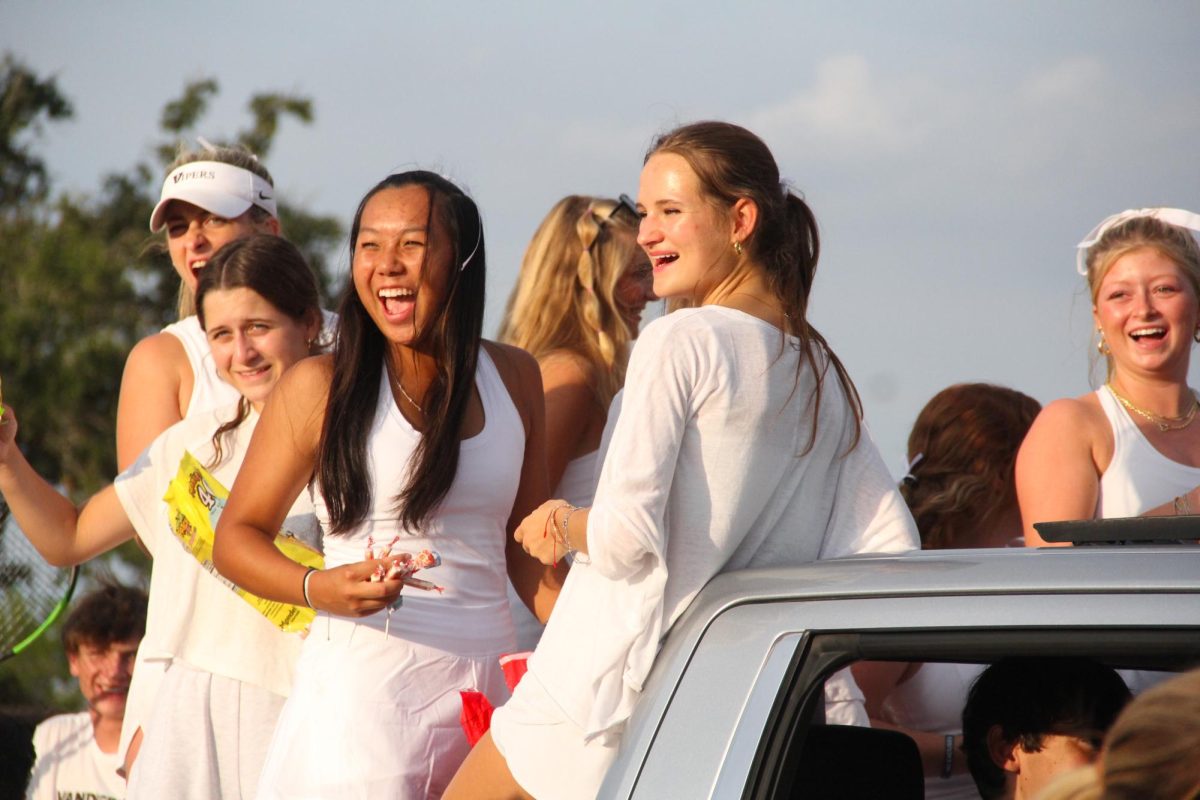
x=962 y=485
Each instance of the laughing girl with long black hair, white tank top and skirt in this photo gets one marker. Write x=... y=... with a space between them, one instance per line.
x=415 y=432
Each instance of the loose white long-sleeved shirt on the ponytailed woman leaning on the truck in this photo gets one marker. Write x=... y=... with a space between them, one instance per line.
x=710 y=470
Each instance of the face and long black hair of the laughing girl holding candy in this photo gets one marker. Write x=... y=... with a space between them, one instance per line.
x=415 y=304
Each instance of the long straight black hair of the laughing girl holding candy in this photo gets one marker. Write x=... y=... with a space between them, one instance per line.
x=452 y=336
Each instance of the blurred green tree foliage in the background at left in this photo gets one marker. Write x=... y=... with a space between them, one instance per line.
x=83 y=282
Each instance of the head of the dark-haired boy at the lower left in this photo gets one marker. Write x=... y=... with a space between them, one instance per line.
x=101 y=637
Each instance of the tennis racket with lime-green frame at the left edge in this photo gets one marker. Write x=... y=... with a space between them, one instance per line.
x=33 y=594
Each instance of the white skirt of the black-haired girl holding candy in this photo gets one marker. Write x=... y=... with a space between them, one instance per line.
x=374 y=717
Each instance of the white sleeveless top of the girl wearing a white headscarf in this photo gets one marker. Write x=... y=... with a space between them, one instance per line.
x=1139 y=478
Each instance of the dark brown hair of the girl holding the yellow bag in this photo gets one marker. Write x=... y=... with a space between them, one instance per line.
x=272 y=268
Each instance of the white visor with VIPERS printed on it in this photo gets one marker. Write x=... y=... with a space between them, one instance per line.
x=218 y=188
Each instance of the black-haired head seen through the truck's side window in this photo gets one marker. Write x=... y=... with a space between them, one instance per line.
x=1031 y=719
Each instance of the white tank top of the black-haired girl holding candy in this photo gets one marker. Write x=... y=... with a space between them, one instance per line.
x=471 y=617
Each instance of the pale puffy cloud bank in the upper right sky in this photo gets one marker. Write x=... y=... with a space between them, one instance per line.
x=855 y=110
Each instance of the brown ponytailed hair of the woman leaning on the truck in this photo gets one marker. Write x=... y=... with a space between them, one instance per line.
x=733 y=164
